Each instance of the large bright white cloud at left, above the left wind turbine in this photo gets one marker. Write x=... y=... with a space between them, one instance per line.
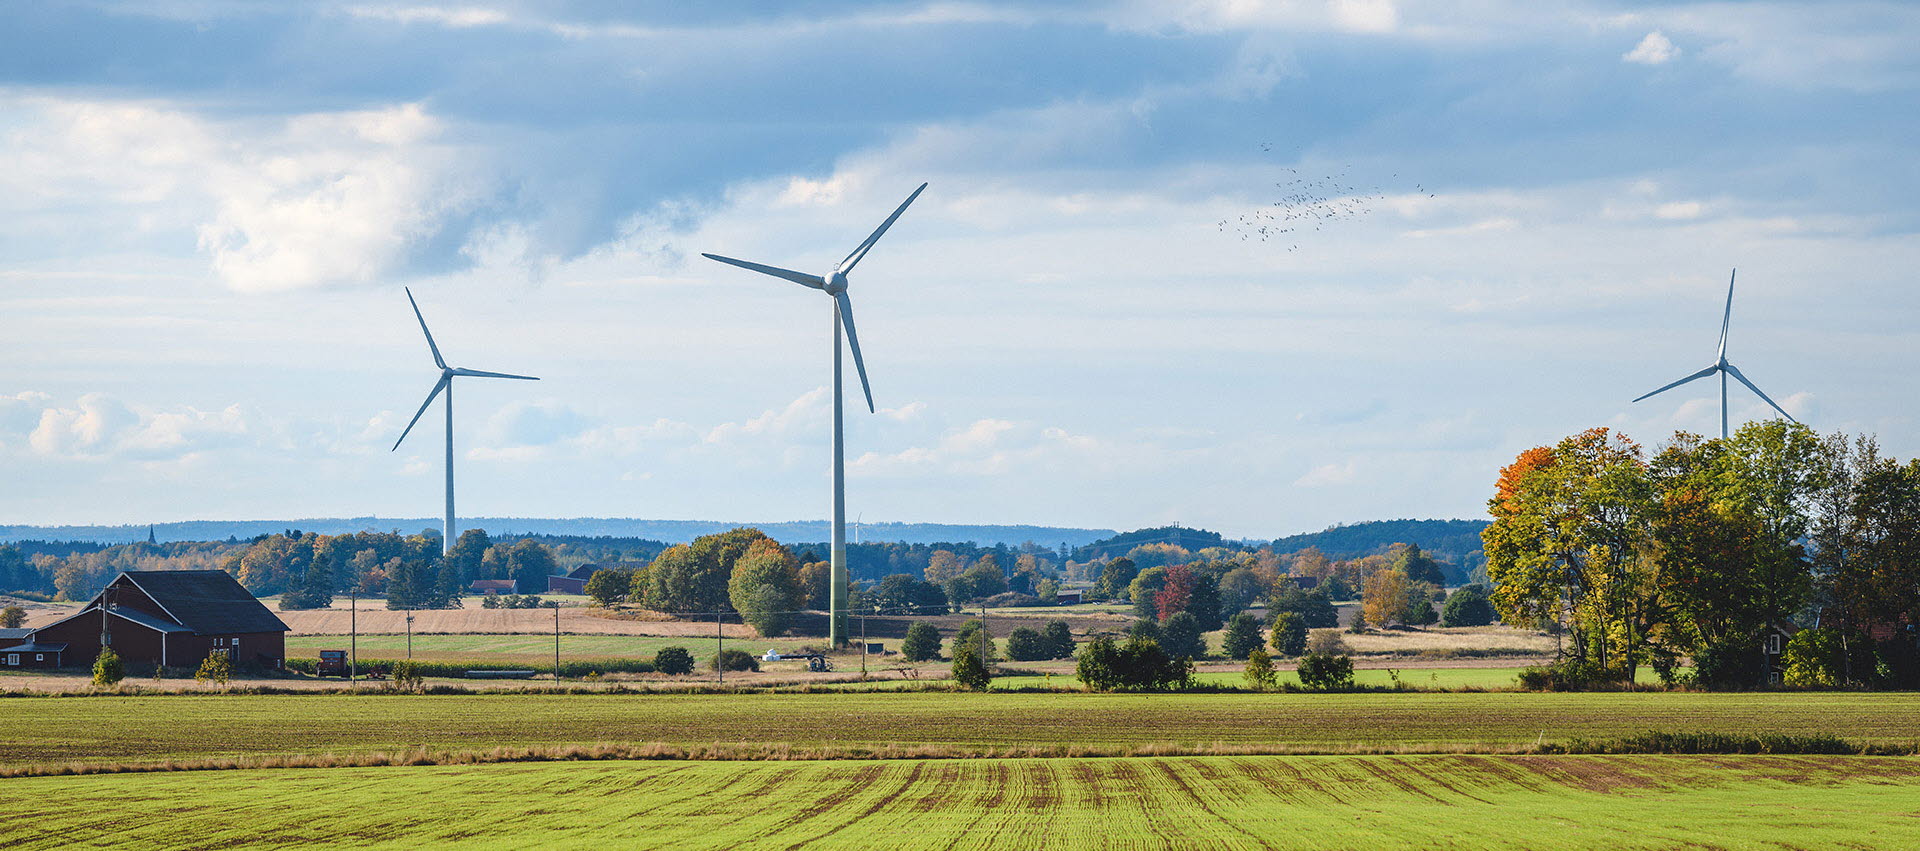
x=312 y=201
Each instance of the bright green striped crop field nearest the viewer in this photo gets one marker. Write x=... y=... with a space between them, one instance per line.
x=994 y=804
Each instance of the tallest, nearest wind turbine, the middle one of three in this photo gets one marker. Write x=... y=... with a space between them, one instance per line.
x=836 y=287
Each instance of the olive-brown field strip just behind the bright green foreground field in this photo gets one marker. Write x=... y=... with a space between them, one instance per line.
x=195 y=727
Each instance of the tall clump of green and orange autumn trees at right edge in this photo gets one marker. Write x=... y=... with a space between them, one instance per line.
x=1712 y=550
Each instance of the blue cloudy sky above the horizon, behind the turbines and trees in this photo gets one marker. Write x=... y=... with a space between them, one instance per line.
x=210 y=210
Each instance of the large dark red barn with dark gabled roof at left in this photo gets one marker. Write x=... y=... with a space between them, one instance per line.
x=170 y=618
